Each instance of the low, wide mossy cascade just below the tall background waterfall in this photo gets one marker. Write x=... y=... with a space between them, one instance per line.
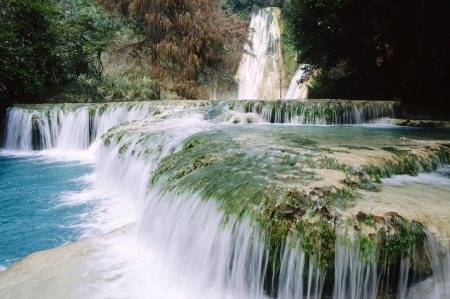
x=316 y=112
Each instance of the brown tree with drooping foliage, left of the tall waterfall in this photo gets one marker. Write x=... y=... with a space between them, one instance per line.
x=186 y=43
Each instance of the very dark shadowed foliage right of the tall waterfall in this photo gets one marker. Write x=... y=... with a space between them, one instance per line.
x=377 y=50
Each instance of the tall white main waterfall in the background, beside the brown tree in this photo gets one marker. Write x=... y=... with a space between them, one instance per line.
x=259 y=75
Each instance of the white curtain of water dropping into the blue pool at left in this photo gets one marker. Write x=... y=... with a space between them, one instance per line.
x=67 y=127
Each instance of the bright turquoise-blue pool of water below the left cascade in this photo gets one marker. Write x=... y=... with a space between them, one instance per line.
x=33 y=213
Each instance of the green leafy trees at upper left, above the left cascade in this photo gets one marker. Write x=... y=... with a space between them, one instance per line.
x=49 y=49
